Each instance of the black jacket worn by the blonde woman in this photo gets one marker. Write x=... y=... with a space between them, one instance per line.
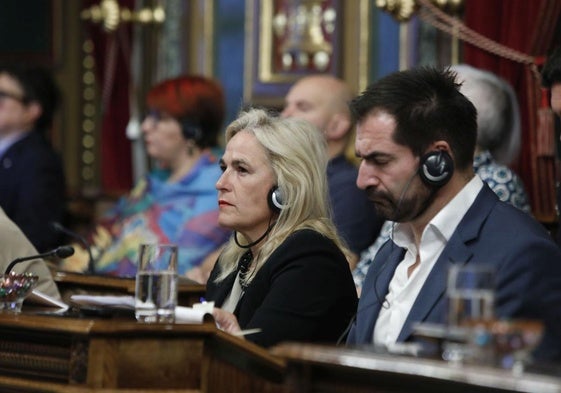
x=303 y=292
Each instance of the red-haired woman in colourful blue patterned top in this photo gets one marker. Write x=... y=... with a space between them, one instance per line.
x=176 y=202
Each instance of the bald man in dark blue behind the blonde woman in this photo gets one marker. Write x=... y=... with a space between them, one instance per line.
x=323 y=100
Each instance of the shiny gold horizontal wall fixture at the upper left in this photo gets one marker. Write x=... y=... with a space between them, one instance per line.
x=110 y=15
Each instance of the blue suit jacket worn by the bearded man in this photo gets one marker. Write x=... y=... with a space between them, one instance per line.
x=528 y=265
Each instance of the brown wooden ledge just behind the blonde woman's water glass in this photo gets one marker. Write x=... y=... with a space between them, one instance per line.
x=189 y=291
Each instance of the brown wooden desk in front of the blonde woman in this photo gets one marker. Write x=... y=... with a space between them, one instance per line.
x=41 y=353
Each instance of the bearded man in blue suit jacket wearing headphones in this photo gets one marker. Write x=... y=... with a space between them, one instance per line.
x=416 y=135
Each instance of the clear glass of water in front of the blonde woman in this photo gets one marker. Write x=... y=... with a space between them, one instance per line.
x=156 y=283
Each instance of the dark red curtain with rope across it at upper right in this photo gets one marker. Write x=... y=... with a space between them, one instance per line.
x=528 y=27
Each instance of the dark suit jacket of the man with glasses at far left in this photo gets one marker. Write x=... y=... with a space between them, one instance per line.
x=32 y=189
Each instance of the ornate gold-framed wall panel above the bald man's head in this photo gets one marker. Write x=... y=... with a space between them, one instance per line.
x=288 y=39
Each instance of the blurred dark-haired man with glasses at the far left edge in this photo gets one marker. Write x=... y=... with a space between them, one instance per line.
x=32 y=181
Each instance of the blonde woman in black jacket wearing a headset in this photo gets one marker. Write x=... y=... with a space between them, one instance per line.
x=285 y=270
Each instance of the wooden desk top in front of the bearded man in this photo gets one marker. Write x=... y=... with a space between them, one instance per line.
x=314 y=368
